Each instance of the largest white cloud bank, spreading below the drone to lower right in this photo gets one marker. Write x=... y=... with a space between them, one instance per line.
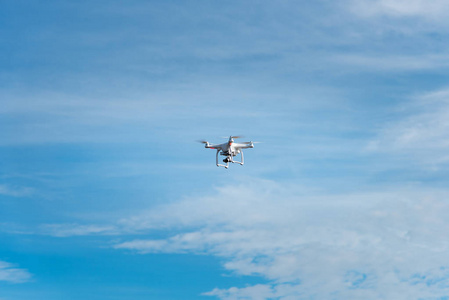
x=373 y=245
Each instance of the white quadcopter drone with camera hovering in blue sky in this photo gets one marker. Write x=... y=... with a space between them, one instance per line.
x=230 y=150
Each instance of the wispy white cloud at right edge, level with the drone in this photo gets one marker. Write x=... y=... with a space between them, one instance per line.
x=422 y=131
